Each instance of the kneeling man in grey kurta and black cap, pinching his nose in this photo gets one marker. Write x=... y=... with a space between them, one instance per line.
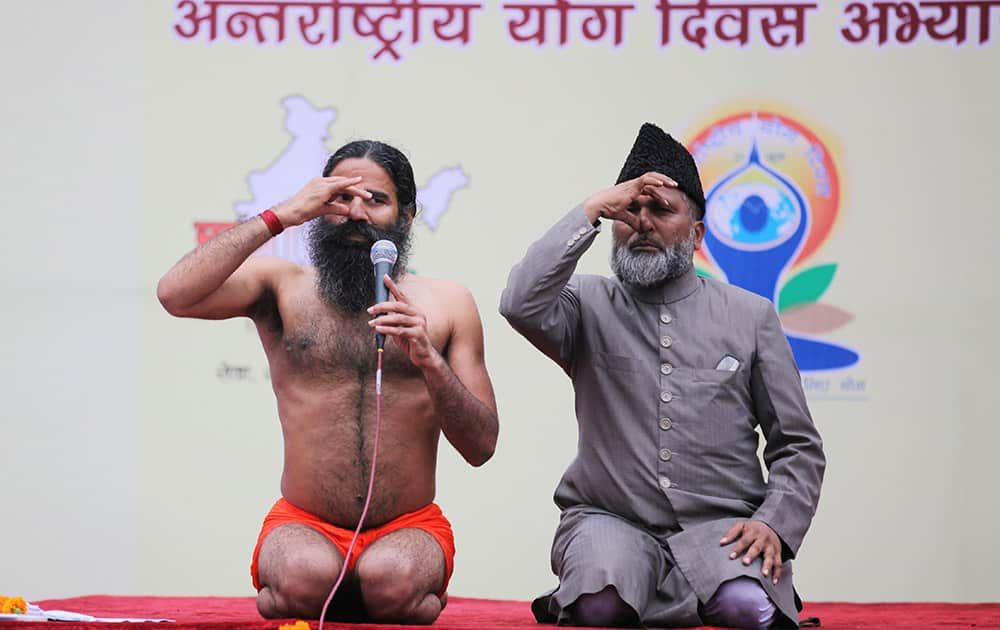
x=666 y=517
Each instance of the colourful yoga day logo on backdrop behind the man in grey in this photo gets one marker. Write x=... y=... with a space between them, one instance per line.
x=773 y=193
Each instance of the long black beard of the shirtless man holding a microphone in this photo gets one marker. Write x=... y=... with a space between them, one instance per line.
x=345 y=274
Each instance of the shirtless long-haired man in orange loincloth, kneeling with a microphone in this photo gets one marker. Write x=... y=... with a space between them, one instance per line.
x=316 y=325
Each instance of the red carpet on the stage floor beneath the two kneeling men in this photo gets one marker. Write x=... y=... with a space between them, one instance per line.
x=482 y=614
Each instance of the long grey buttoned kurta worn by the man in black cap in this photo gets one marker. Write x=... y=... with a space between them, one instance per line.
x=667 y=454
